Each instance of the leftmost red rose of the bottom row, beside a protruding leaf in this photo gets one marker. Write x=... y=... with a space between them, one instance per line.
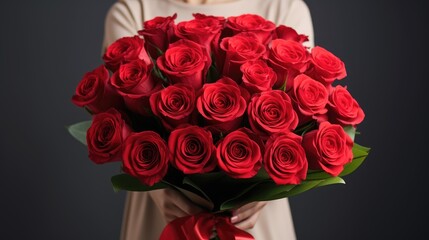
x=105 y=136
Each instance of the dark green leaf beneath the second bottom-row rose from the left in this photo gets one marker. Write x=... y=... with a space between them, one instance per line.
x=129 y=183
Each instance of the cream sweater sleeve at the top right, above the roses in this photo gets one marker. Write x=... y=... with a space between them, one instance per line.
x=299 y=18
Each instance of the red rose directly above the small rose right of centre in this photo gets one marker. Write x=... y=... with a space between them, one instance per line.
x=240 y=49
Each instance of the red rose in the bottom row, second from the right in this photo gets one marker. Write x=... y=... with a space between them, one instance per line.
x=285 y=159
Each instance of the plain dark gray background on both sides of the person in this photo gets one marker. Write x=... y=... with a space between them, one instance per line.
x=50 y=190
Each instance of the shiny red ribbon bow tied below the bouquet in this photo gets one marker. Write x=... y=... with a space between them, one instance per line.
x=200 y=227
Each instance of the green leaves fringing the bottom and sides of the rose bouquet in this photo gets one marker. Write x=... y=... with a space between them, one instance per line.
x=223 y=192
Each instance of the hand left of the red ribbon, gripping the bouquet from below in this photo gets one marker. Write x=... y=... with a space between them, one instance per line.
x=173 y=204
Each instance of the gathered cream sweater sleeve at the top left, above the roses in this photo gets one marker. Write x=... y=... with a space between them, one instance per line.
x=124 y=18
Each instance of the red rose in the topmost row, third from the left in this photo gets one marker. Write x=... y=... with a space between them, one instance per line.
x=262 y=27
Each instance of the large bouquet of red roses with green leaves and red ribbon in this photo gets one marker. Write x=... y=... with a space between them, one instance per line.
x=231 y=110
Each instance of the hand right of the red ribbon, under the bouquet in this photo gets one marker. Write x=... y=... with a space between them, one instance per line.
x=246 y=216
